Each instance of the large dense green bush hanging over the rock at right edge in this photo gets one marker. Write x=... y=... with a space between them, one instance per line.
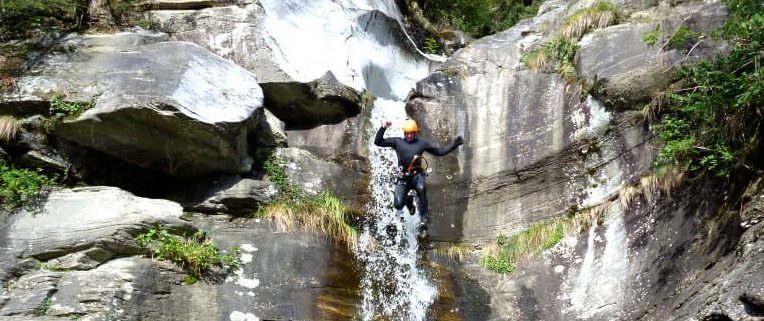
x=711 y=119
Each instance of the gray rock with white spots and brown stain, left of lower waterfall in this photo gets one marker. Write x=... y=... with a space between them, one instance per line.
x=285 y=276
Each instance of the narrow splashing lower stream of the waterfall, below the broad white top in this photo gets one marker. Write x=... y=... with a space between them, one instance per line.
x=394 y=286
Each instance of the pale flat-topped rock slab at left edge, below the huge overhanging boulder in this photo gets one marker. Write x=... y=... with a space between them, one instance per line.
x=77 y=219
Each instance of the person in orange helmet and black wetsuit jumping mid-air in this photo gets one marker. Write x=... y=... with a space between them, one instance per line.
x=411 y=175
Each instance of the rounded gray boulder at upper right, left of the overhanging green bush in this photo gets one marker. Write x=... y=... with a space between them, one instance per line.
x=624 y=70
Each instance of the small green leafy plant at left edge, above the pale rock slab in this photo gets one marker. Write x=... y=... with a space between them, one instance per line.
x=21 y=187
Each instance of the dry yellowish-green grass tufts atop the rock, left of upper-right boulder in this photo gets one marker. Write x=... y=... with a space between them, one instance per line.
x=562 y=49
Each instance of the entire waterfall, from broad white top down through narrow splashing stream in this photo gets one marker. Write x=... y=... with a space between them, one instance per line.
x=356 y=41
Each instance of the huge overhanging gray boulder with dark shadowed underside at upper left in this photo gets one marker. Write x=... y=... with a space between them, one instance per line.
x=172 y=107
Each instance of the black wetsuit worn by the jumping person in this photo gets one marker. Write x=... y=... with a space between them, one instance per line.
x=412 y=176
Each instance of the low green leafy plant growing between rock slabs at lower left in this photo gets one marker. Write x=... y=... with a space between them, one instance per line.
x=197 y=254
